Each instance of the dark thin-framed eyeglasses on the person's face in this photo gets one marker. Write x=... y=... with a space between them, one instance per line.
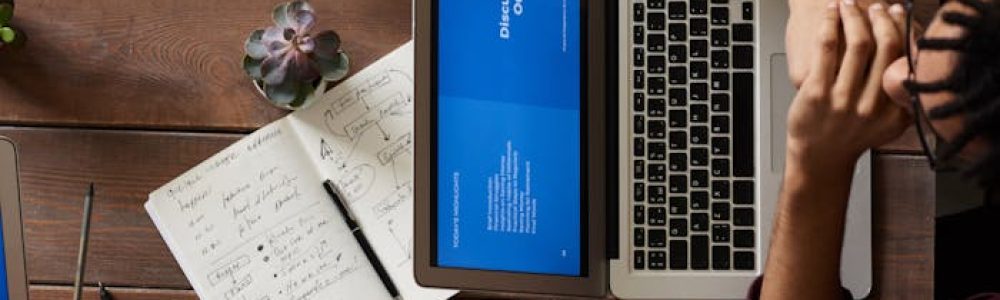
x=930 y=139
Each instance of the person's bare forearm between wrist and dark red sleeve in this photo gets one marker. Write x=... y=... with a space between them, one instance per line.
x=804 y=259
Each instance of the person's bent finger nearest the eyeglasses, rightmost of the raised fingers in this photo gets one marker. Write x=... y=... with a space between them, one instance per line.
x=889 y=45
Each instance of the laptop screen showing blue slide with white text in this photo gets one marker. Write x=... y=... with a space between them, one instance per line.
x=510 y=184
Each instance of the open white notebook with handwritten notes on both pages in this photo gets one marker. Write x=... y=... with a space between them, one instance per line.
x=254 y=222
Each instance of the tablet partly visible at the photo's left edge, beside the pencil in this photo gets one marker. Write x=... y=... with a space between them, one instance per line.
x=12 y=253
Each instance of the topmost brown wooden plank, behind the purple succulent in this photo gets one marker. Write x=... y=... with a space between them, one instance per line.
x=163 y=64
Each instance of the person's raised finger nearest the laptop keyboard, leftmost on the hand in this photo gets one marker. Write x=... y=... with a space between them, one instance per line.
x=824 y=64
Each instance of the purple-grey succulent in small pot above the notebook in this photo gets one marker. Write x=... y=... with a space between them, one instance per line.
x=289 y=65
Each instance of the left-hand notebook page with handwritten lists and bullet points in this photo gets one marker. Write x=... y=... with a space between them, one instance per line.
x=253 y=222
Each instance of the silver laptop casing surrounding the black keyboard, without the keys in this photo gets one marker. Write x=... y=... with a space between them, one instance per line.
x=773 y=95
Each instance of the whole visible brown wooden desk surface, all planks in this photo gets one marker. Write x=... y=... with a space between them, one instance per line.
x=129 y=94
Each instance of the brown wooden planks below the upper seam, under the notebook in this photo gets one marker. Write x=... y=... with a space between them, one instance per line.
x=127 y=251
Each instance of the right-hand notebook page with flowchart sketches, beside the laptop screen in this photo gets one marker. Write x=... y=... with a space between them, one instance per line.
x=361 y=137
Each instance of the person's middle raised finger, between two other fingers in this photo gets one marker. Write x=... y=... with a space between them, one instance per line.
x=857 y=36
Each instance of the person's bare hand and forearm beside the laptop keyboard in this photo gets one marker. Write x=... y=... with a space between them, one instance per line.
x=839 y=112
